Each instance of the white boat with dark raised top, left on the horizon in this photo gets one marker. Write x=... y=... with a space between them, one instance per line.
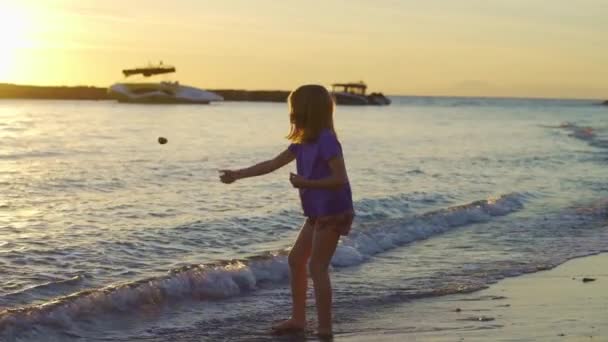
x=158 y=92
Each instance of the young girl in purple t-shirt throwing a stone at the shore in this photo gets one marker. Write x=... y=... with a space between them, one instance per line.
x=325 y=195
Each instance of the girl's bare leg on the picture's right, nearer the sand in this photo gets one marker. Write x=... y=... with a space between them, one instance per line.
x=323 y=247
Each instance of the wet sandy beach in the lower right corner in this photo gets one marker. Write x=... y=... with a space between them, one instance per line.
x=567 y=303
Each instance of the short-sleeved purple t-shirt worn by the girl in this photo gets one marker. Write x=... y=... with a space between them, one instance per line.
x=312 y=161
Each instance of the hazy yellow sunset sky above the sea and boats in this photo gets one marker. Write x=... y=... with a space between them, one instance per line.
x=530 y=48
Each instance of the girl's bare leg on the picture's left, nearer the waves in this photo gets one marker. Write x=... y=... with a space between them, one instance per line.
x=298 y=258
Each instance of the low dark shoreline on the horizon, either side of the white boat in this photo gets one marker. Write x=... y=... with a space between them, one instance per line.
x=13 y=91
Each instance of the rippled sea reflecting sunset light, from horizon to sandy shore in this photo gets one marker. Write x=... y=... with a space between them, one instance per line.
x=107 y=235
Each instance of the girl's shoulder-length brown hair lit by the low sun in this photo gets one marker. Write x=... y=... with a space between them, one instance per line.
x=311 y=110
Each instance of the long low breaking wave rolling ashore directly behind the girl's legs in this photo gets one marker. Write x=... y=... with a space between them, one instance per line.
x=236 y=277
